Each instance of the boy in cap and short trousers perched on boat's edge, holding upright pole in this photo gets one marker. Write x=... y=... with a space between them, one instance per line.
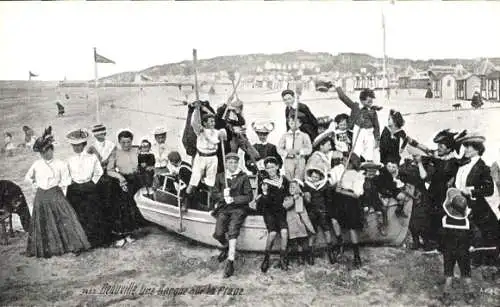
x=233 y=194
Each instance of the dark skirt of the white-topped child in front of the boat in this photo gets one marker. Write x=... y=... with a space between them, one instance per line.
x=349 y=212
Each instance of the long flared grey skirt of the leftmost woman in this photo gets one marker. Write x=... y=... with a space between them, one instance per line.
x=54 y=228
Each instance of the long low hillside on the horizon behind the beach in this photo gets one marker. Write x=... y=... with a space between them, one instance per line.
x=247 y=64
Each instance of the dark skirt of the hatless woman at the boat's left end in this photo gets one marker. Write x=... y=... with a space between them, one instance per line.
x=126 y=217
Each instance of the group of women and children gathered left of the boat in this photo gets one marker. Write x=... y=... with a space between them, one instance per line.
x=87 y=200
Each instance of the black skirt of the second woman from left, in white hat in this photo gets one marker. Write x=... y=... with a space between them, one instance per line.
x=86 y=201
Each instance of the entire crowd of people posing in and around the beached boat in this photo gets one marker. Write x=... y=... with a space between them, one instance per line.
x=322 y=177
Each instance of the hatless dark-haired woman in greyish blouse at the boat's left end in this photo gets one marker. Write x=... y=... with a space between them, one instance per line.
x=122 y=166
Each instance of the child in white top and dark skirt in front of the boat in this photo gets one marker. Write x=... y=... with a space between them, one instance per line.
x=349 y=190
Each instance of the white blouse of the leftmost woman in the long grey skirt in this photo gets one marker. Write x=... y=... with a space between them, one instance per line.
x=48 y=174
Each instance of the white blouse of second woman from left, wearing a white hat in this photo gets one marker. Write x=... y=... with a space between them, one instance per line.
x=84 y=167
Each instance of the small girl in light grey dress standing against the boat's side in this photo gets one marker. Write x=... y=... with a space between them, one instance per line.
x=300 y=227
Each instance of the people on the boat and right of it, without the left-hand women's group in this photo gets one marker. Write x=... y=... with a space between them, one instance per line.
x=330 y=180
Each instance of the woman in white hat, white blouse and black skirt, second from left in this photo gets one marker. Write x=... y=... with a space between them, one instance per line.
x=85 y=171
